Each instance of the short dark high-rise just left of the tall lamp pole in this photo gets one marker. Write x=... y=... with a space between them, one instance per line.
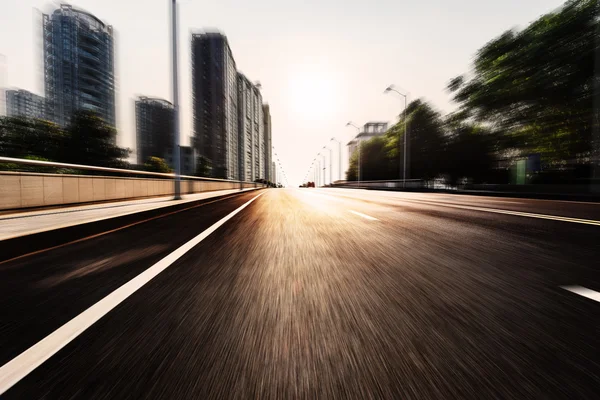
x=154 y=127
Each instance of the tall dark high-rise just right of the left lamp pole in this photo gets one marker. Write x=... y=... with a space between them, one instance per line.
x=215 y=103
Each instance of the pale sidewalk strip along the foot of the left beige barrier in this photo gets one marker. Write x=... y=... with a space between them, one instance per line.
x=26 y=223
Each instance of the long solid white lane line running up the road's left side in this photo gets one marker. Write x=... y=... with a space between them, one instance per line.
x=20 y=366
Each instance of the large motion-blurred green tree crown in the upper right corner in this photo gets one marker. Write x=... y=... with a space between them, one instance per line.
x=536 y=86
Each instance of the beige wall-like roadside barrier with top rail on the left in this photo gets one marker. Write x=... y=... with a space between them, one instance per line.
x=33 y=189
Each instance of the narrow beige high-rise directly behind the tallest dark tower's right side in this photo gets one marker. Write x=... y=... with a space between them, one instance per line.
x=250 y=129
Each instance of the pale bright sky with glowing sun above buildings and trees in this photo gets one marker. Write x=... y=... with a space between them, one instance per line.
x=320 y=62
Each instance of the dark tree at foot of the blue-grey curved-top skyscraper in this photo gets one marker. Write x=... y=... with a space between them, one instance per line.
x=93 y=142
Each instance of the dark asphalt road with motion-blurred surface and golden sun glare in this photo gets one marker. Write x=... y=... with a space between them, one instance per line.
x=320 y=293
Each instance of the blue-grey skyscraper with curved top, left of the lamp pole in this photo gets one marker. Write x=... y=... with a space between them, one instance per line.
x=78 y=65
